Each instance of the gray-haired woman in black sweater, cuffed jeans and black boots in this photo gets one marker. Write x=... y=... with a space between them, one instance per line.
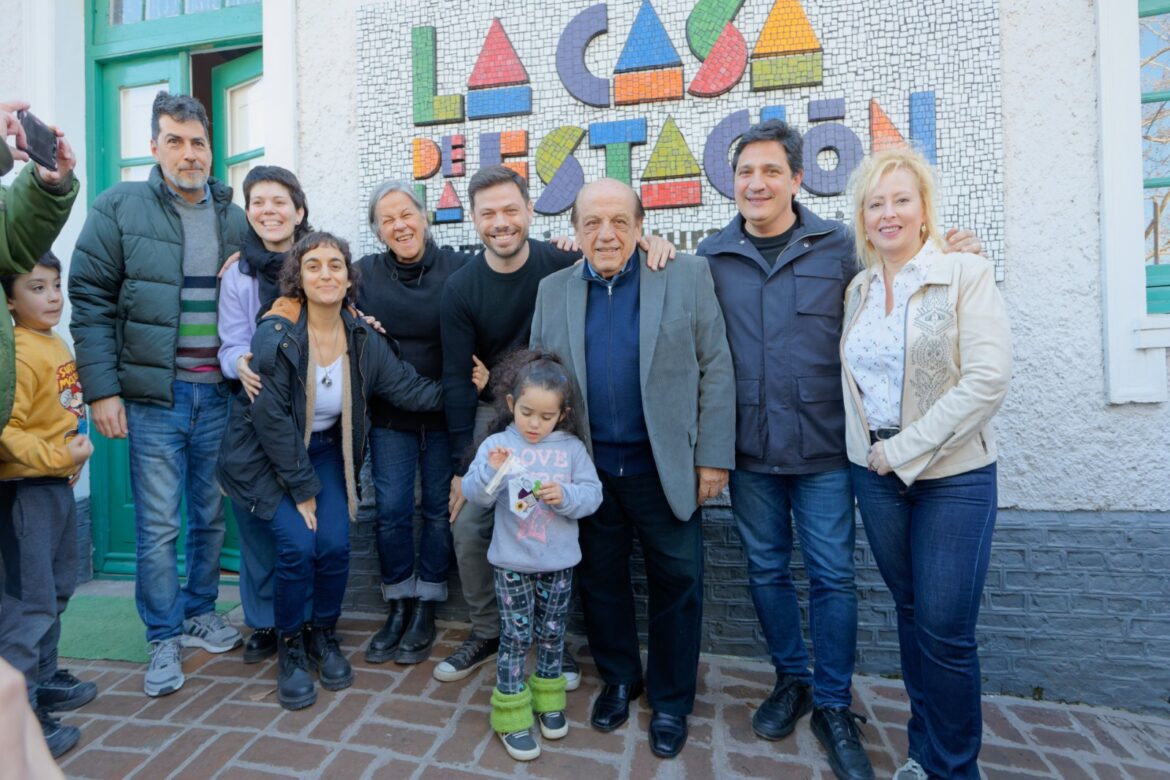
x=402 y=288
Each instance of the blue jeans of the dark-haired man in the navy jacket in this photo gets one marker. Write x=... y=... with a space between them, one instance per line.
x=821 y=506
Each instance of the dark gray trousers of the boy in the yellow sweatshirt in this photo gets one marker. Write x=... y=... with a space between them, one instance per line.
x=39 y=544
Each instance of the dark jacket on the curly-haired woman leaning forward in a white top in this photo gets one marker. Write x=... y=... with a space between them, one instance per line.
x=265 y=452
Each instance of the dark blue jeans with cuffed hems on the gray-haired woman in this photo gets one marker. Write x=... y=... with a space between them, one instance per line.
x=397 y=455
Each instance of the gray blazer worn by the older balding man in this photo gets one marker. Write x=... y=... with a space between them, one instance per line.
x=687 y=381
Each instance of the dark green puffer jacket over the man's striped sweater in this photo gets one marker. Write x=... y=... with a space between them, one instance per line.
x=125 y=285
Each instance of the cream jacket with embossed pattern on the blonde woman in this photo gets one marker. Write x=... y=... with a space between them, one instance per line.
x=959 y=362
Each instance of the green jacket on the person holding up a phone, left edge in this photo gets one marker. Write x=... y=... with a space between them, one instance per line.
x=32 y=215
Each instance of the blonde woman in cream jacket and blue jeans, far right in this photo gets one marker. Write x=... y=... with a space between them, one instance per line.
x=926 y=356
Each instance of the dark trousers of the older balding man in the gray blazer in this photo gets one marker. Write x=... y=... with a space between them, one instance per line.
x=675 y=577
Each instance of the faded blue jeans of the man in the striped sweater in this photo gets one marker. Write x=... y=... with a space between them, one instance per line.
x=173 y=455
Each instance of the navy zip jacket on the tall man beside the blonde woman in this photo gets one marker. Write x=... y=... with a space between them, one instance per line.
x=783 y=326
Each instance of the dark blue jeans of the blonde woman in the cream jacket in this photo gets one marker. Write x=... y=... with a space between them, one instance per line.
x=933 y=543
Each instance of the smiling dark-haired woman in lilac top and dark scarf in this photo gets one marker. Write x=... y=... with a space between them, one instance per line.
x=279 y=216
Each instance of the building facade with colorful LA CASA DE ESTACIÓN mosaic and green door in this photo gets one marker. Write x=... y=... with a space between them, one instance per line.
x=1035 y=119
